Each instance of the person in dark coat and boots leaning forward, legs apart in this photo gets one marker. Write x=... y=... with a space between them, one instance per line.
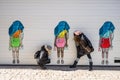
x=83 y=47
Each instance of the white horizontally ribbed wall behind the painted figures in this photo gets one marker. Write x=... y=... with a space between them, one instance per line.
x=40 y=18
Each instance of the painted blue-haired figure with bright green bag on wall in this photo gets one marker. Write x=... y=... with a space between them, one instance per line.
x=15 y=39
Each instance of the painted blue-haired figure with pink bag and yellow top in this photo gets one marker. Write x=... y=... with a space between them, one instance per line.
x=61 y=32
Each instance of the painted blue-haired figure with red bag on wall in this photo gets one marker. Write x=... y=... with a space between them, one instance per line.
x=105 y=41
